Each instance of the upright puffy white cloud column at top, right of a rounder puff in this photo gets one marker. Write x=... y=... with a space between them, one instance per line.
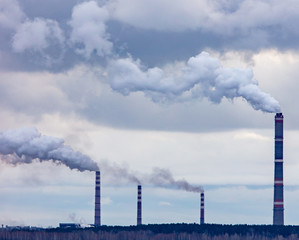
x=89 y=29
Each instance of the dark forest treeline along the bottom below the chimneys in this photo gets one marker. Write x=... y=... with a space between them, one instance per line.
x=160 y=232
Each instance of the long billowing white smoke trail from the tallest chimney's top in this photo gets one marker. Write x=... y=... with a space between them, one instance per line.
x=201 y=76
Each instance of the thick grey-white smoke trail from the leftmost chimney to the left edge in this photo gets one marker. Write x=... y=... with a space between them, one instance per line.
x=26 y=144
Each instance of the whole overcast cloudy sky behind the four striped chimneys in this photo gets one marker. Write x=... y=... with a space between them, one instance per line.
x=189 y=86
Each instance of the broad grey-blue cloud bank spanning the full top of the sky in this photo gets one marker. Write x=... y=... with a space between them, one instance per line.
x=153 y=35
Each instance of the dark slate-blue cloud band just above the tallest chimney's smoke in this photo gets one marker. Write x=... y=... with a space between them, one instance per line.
x=159 y=47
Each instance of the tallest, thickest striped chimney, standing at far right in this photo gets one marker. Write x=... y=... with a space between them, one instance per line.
x=278 y=210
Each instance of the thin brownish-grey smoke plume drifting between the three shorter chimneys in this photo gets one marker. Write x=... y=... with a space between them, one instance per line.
x=158 y=177
